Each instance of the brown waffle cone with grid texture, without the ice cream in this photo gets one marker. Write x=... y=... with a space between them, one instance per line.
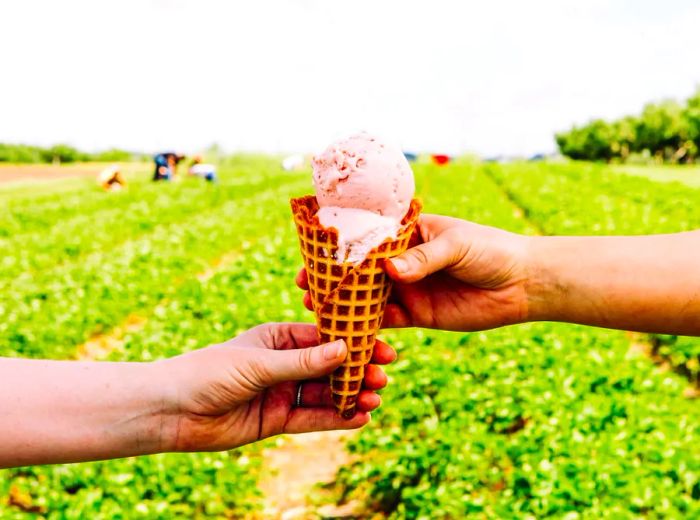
x=348 y=299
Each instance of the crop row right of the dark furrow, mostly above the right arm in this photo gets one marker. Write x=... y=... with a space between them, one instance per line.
x=584 y=199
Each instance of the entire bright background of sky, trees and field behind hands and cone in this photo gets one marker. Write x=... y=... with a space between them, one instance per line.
x=100 y=263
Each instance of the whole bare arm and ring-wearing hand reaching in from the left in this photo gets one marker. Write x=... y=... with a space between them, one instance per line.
x=216 y=398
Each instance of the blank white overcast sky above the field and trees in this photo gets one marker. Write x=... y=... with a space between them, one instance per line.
x=488 y=77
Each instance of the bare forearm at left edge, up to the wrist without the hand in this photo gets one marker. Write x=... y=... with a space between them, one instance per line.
x=70 y=411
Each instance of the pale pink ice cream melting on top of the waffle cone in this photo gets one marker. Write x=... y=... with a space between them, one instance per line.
x=364 y=188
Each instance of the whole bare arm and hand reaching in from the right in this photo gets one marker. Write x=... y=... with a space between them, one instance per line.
x=465 y=276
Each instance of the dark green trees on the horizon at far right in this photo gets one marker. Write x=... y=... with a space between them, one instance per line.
x=668 y=131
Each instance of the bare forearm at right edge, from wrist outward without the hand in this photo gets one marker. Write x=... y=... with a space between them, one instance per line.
x=645 y=283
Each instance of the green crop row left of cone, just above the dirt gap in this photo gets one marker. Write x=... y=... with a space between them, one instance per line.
x=50 y=312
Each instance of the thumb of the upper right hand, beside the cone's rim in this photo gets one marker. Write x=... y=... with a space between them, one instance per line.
x=422 y=260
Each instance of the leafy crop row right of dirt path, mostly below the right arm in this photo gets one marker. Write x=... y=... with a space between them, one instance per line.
x=529 y=421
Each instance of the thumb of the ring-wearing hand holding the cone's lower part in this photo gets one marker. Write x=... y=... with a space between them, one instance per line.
x=303 y=363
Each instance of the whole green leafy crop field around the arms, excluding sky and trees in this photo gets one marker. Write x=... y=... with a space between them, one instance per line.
x=525 y=422
